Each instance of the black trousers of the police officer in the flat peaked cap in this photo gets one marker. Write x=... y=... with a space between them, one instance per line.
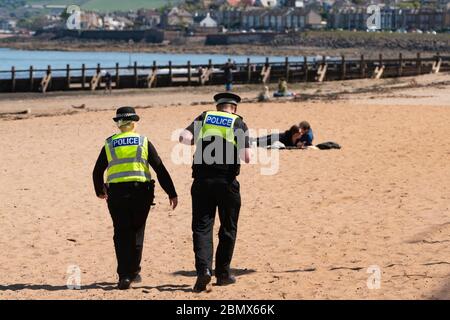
x=207 y=196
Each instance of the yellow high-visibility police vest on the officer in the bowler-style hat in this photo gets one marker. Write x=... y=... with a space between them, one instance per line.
x=127 y=155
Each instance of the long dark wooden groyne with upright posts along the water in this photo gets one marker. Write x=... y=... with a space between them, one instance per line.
x=154 y=75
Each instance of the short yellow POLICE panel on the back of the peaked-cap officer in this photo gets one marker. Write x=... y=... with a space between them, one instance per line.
x=219 y=123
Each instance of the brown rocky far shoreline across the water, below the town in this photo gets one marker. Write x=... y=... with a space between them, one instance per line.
x=197 y=47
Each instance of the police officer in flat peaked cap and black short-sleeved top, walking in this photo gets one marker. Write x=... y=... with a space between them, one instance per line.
x=221 y=139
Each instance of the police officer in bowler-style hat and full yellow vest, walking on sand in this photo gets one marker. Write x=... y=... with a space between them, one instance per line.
x=129 y=190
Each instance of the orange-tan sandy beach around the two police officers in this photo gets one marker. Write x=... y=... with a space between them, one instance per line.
x=313 y=230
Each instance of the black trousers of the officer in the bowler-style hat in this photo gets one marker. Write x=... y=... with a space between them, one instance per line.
x=129 y=205
